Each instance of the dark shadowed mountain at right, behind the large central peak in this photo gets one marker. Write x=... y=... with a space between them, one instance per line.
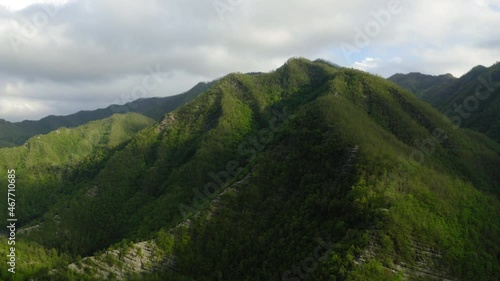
x=471 y=101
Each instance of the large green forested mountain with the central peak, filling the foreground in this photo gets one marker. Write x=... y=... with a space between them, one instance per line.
x=310 y=171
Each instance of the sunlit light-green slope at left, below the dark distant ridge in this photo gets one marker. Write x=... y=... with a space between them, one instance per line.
x=45 y=159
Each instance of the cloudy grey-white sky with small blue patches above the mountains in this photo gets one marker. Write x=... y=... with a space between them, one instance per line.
x=61 y=56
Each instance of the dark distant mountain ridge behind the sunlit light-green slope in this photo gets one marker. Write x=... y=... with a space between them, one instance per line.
x=14 y=134
